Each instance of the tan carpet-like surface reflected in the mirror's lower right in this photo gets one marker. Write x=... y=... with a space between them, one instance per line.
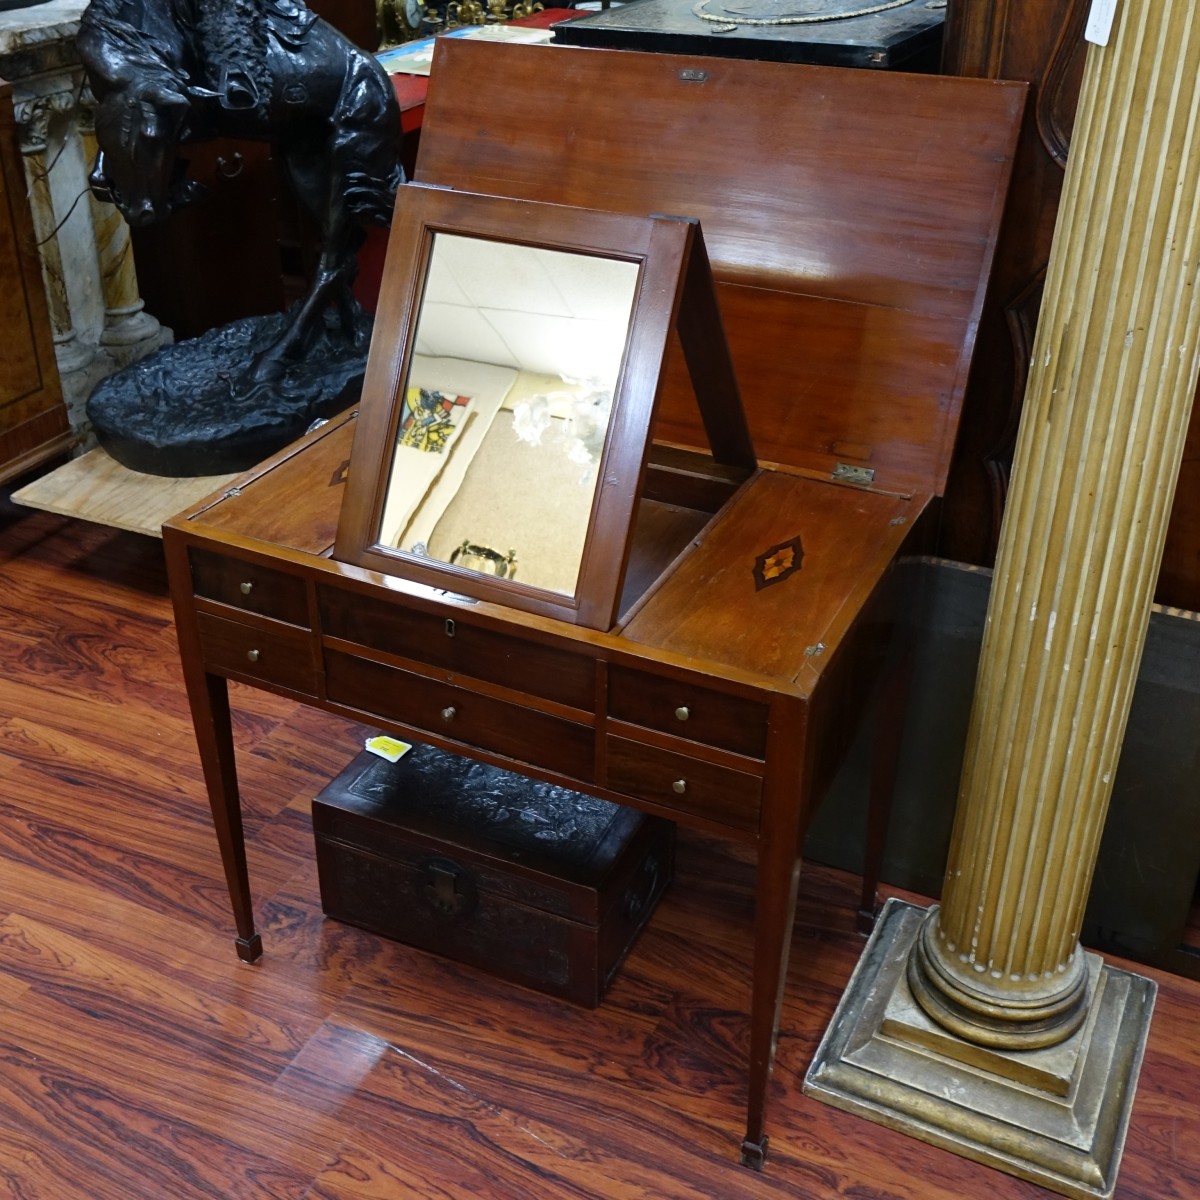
x=532 y=500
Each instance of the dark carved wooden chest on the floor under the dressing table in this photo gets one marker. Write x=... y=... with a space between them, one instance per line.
x=541 y=885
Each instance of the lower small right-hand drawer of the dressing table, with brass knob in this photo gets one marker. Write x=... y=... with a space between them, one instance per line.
x=679 y=782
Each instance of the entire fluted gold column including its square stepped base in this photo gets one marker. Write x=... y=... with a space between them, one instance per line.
x=1024 y=1049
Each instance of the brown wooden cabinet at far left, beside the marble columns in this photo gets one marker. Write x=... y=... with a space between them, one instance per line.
x=33 y=418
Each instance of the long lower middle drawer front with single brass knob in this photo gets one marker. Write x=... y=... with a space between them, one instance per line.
x=460 y=715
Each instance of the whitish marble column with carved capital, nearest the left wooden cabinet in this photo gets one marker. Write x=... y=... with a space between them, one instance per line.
x=34 y=118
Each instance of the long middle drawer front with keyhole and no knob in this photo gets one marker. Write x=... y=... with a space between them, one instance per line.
x=461 y=647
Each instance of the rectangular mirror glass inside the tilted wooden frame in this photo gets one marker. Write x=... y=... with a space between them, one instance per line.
x=506 y=409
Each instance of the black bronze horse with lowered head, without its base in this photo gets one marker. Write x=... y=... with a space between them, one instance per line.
x=169 y=73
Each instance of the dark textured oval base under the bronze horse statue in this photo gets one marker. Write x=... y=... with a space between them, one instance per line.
x=193 y=410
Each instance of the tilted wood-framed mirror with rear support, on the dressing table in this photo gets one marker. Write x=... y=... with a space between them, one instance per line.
x=505 y=424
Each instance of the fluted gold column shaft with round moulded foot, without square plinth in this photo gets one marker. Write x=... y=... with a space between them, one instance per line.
x=1106 y=416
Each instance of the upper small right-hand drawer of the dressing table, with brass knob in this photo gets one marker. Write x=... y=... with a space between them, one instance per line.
x=688 y=711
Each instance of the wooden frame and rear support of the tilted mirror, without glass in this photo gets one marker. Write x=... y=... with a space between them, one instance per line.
x=670 y=271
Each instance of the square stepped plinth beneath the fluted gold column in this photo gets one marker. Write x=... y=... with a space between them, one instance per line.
x=1057 y=1117
